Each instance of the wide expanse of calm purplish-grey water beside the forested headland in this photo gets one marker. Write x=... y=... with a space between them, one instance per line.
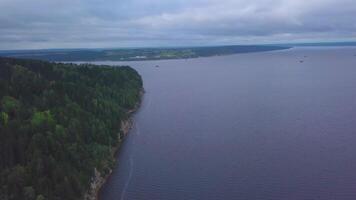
x=248 y=126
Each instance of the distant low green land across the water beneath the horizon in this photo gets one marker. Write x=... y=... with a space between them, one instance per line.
x=136 y=53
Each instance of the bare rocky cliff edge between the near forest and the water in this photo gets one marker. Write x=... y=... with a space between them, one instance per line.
x=98 y=181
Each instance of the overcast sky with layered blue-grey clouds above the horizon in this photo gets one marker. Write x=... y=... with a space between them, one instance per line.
x=33 y=24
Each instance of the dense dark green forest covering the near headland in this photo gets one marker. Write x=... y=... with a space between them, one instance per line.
x=59 y=122
